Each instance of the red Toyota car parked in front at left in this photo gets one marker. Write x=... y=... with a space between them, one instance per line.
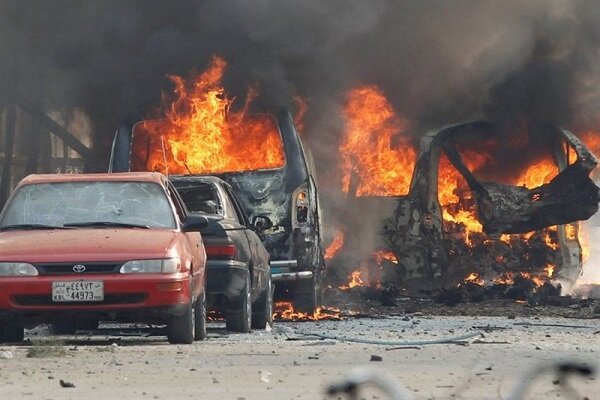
x=78 y=249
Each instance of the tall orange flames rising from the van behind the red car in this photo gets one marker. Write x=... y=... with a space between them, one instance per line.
x=201 y=133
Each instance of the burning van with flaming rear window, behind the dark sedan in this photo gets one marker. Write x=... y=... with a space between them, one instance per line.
x=285 y=191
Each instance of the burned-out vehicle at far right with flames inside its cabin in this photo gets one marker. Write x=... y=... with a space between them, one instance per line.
x=425 y=242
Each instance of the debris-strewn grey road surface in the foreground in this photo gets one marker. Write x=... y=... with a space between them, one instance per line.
x=287 y=364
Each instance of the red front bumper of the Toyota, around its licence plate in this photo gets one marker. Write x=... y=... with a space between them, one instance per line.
x=135 y=298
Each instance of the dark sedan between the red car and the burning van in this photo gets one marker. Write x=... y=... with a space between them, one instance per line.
x=238 y=274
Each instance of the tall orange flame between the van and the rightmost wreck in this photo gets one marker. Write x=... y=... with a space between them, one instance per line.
x=376 y=159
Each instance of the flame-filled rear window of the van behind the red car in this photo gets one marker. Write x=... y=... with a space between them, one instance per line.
x=199 y=147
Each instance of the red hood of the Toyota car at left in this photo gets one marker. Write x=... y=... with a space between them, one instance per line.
x=84 y=245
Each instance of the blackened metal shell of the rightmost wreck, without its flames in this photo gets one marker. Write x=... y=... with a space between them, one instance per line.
x=426 y=253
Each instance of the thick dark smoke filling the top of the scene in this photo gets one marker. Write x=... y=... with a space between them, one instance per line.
x=438 y=62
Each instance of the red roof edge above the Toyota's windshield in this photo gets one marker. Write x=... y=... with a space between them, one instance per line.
x=103 y=177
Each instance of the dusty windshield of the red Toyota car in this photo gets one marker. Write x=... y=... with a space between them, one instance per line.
x=119 y=203
